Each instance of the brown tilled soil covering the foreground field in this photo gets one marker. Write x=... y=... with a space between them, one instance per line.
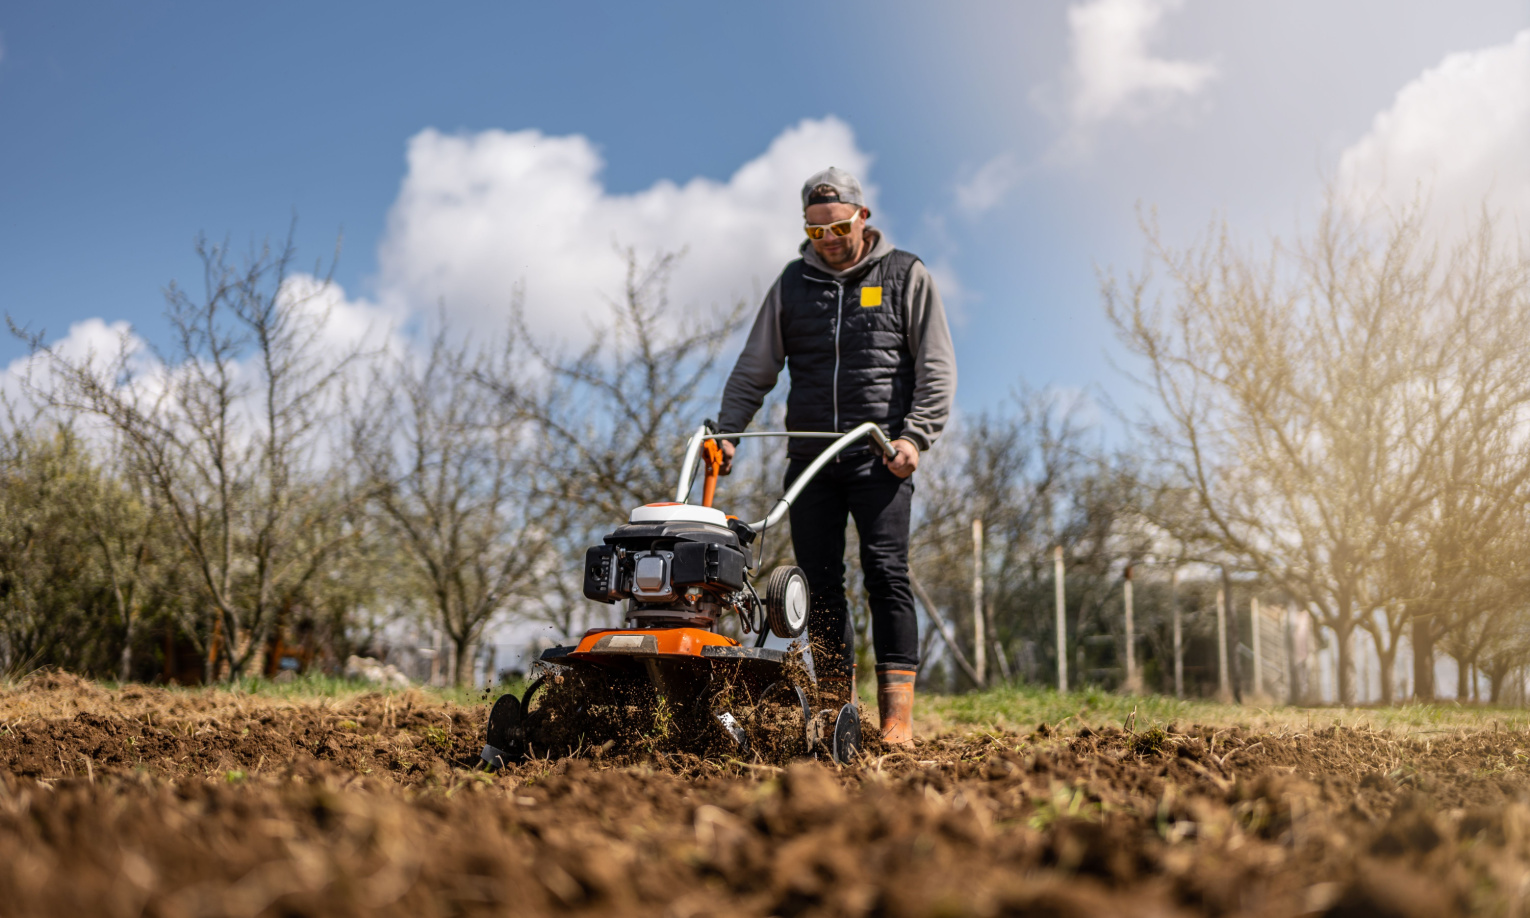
x=146 y=802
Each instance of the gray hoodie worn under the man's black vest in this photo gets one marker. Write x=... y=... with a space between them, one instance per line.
x=929 y=340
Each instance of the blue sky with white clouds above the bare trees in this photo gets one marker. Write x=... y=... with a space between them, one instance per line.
x=1011 y=145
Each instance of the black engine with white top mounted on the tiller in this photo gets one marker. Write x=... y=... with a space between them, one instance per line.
x=674 y=565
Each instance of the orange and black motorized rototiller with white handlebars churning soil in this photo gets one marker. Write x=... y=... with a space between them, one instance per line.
x=680 y=570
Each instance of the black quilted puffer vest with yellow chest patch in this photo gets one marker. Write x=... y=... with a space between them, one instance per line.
x=847 y=351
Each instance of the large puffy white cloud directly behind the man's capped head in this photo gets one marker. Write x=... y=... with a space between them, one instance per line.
x=480 y=215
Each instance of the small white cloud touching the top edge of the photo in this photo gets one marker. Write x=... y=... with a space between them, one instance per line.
x=1113 y=74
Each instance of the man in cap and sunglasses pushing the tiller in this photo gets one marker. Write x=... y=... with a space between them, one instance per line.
x=864 y=334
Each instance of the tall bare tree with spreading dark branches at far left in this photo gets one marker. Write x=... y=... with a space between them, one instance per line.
x=229 y=434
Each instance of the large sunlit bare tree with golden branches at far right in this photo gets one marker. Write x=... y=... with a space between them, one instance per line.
x=1307 y=400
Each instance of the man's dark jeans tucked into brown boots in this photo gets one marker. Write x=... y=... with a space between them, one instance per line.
x=859 y=487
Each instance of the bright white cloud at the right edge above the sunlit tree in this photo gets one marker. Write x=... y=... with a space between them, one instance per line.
x=1459 y=135
